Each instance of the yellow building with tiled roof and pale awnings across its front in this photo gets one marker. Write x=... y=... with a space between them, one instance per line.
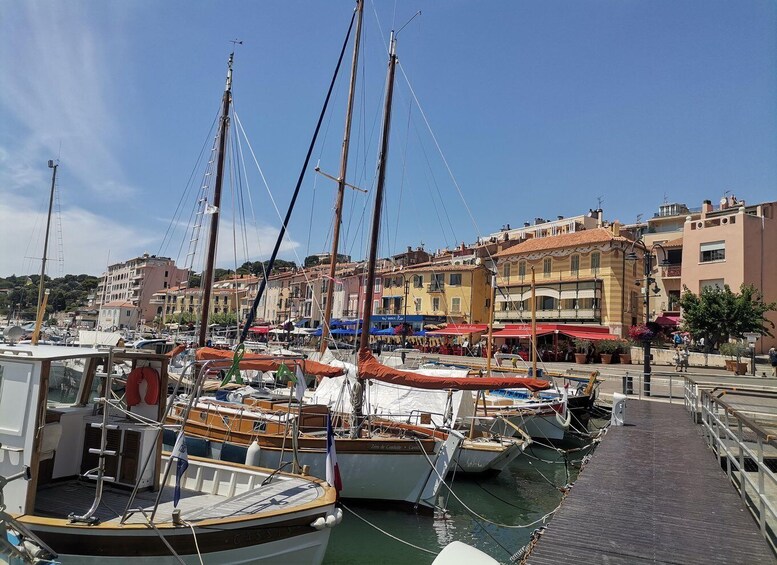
x=580 y=278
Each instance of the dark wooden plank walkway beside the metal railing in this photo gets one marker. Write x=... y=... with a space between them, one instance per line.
x=652 y=493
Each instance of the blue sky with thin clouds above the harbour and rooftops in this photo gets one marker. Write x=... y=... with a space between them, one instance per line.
x=504 y=111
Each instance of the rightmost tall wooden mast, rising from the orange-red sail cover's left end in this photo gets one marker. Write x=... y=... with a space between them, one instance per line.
x=370 y=286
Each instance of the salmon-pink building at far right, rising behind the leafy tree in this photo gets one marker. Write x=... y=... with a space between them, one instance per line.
x=733 y=244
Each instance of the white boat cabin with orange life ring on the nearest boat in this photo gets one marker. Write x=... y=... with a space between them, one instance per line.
x=51 y=420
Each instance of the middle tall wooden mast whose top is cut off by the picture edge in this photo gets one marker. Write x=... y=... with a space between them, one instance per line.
x=341 y=179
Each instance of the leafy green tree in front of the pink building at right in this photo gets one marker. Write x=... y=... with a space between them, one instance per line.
x=718 y=314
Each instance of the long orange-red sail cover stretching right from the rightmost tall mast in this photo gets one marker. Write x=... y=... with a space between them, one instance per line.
x=371 y=368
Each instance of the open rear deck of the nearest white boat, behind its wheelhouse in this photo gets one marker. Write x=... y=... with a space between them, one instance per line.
x=59 y=500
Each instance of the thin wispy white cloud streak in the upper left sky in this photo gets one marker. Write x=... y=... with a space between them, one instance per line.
x=57 y=91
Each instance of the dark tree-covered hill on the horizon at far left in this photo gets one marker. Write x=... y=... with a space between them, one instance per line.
x=19 y=294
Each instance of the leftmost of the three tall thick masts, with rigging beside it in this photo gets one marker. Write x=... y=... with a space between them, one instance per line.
x=208 y=272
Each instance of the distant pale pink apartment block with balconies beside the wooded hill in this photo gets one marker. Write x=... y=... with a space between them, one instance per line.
x=135 y=281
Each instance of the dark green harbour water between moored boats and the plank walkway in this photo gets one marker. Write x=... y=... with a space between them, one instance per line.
x=518 y=495
